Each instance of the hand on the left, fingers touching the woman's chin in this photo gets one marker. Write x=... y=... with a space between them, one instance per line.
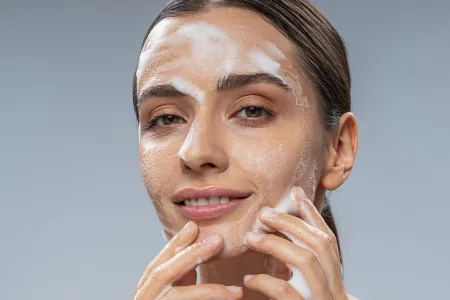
x=172 y=274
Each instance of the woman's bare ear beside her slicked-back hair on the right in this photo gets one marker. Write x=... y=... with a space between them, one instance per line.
x=341 y=153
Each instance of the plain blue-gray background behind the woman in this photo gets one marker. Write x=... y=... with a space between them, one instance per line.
x=75 y=219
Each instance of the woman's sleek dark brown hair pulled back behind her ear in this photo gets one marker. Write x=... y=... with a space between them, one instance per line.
x=320 y=50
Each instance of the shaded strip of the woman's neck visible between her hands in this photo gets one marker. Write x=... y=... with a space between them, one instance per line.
x=232 y=271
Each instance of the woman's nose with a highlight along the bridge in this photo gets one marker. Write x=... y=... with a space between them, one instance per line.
x=202 y=150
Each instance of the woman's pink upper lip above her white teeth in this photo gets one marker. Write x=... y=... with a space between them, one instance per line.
x=192 y=193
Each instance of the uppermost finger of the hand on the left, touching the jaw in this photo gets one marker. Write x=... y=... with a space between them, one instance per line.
x=187 y=235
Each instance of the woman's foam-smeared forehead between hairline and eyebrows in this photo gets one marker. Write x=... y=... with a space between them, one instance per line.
x=211 y=44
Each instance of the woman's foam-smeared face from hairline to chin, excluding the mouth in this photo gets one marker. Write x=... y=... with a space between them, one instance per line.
x=222 y=104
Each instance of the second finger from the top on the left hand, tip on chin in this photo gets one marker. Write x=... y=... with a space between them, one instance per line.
x=179 y=265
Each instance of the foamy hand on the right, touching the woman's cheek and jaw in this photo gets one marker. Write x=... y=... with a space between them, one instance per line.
x=312 y=255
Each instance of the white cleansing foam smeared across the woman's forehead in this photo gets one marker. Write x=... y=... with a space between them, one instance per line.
x=210 y=45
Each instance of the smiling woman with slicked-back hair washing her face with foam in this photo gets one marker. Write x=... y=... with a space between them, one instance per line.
x=244 y=123
